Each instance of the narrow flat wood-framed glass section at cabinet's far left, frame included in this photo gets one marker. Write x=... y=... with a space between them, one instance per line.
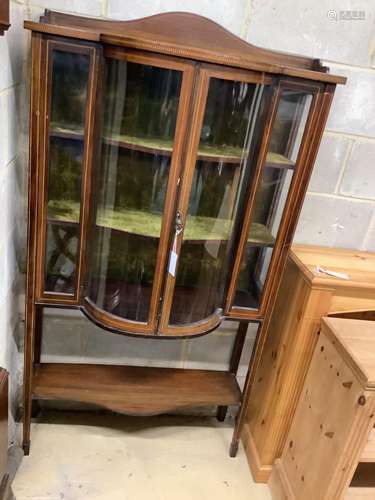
x=66 y=111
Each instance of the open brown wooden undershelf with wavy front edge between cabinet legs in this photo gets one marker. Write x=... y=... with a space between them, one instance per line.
x=135 y=390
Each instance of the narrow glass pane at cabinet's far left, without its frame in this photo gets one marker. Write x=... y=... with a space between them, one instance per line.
x=68 y=107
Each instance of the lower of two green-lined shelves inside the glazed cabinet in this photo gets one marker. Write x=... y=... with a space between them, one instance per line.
x=198 y=228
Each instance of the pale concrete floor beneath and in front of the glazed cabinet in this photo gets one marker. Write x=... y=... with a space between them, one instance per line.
x=108 y=457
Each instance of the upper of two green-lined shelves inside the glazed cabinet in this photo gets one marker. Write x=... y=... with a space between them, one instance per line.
x=224 y=154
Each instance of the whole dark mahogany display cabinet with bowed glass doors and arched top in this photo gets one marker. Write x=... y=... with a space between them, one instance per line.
x=168 y=164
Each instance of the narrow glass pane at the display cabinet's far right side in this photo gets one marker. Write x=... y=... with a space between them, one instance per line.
x=272 y=194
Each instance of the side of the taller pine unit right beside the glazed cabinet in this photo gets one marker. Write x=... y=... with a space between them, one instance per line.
x=290 y=340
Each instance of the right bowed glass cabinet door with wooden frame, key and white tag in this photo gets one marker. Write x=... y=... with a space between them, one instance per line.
x=231 y=112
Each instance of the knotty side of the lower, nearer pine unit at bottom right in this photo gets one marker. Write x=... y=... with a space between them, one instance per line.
x=332 y=421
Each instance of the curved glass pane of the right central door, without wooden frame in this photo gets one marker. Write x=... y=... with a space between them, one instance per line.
x=230 y=138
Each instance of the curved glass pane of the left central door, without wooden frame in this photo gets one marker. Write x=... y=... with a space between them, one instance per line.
x=141 y=104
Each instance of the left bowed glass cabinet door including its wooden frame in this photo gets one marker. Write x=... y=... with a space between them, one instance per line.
x=145 y=109
